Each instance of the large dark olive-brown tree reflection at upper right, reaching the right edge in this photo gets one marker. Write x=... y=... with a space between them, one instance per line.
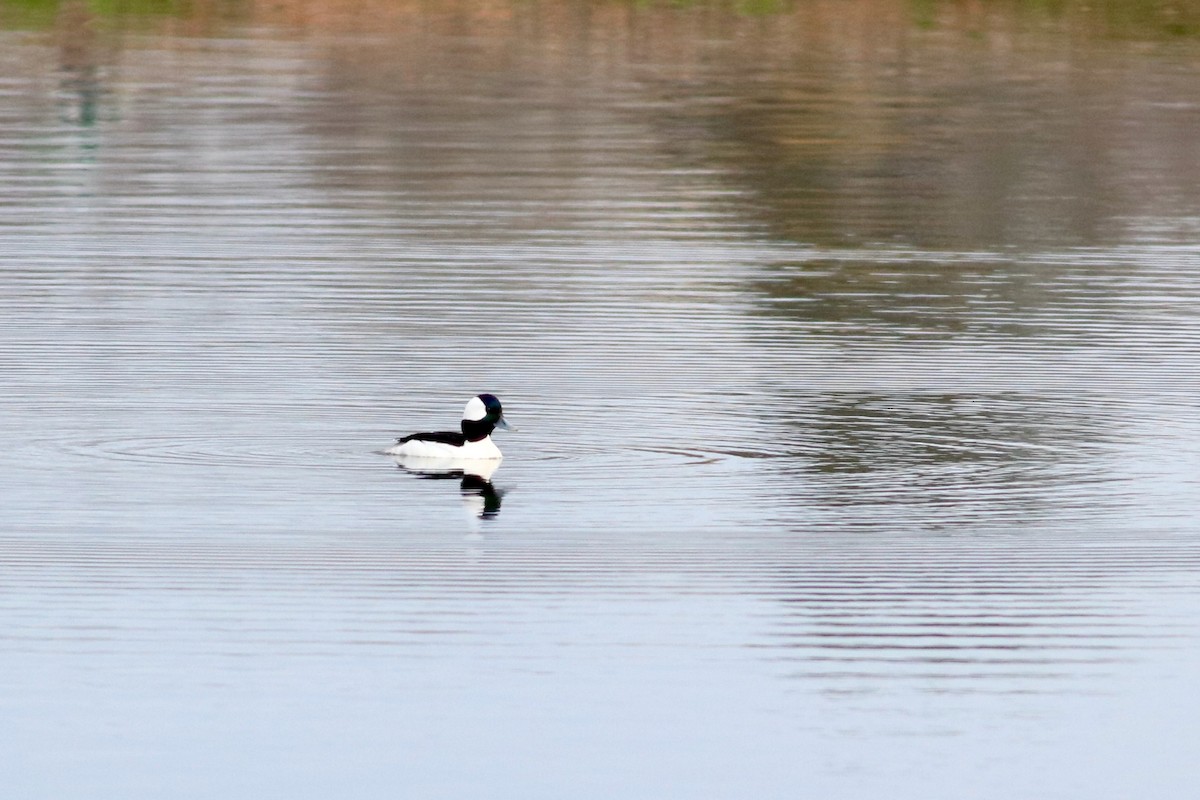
x=1009 y=137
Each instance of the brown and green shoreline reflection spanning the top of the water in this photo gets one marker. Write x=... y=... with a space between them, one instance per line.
x=934 y=124
